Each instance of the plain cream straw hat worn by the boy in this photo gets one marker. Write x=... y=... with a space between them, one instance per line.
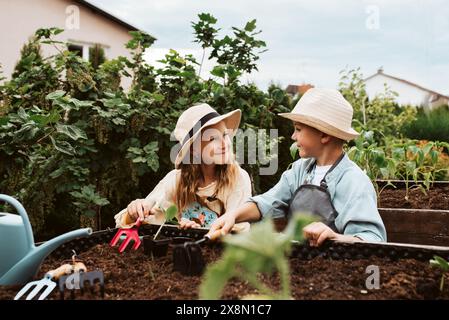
x=326 y=110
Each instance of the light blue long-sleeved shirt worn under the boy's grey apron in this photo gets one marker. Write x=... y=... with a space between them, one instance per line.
x=351 y=192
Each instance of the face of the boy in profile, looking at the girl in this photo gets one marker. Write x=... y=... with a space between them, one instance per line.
x=307 y=139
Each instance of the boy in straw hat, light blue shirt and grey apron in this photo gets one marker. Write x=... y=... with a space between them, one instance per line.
x=324 y=180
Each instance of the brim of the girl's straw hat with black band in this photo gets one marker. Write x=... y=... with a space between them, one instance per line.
x=232 y=122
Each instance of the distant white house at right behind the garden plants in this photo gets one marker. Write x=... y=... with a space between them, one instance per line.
x=408 y=93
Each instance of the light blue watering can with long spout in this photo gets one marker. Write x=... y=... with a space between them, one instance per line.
x=20 y=259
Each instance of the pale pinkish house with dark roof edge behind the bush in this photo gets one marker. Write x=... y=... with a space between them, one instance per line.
x=85 y=26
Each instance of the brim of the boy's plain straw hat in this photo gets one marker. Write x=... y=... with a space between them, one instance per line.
x=320 y=125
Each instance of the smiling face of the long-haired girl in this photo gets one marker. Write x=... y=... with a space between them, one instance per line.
x=216 y=145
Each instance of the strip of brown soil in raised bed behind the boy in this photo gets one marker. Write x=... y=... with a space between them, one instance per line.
x=436 y=198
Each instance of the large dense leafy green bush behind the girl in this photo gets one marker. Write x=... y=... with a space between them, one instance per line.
x=74 y=143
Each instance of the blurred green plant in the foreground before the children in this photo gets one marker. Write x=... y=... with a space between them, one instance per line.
x=261 y=250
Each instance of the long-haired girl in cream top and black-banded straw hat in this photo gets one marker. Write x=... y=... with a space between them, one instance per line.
x=206 y=181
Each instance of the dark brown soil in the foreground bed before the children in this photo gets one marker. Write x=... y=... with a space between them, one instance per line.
x=133 y=275
